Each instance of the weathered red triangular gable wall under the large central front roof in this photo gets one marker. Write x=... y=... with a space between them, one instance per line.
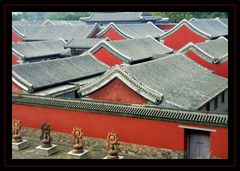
x=117 y=91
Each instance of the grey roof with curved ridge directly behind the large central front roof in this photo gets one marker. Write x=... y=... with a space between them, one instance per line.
x=134 y=50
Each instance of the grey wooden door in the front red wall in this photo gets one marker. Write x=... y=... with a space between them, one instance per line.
x=198 y=146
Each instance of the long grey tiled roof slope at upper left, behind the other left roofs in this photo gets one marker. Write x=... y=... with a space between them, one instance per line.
x=51 y=32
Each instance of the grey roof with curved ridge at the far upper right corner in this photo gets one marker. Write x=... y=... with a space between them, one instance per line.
x=208 y=28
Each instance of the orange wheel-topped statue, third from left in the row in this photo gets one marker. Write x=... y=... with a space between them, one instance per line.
x=77 y=140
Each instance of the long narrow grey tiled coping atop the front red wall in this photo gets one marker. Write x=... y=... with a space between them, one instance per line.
x=127 y=110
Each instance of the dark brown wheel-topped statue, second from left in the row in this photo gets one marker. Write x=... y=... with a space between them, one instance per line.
x=45 y=136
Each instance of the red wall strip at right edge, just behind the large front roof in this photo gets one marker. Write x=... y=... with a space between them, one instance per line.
x=219 y=69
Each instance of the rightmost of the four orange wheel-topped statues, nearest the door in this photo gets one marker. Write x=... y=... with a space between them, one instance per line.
x=112 y=146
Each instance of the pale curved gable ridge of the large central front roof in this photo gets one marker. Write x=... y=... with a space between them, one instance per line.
x=119 y=72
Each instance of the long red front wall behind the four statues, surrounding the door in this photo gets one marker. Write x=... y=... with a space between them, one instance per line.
x=133 y=130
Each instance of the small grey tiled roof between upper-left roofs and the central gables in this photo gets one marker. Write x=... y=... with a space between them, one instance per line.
x=83 y=43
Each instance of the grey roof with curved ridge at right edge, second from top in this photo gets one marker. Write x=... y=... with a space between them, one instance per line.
x=214 y=51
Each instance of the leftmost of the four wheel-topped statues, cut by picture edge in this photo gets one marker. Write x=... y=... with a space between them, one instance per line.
x=16 y=131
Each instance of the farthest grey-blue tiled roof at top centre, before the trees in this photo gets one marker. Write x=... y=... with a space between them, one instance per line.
x=118 y=16
